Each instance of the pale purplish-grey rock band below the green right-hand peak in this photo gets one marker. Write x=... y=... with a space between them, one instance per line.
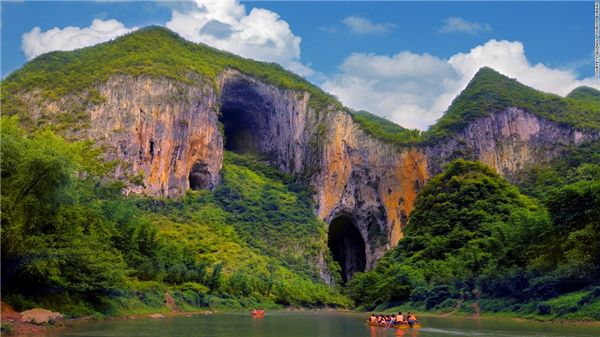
x=508 y=141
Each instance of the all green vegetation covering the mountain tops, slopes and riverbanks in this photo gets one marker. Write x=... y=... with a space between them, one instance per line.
x=73 y=243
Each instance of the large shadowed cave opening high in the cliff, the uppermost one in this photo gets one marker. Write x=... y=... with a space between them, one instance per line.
x=245 y=116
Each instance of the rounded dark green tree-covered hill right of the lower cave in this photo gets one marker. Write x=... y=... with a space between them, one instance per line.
x=464 y=223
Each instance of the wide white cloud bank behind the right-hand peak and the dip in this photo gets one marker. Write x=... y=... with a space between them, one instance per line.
x=414 y=90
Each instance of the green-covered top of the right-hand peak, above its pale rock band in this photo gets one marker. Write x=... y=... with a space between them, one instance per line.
x=490 y=91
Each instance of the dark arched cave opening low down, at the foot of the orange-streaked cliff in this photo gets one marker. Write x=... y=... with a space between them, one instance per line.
x=347 y=246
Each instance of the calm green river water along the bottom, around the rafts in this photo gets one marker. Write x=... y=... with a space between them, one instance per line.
x=327 y=324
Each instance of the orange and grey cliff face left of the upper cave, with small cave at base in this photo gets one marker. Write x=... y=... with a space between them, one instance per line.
x=164 y=132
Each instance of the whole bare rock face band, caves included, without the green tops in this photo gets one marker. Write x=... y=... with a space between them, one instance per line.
x=171 y=136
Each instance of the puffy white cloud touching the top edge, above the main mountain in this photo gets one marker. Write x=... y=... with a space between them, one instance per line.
x=260 y=34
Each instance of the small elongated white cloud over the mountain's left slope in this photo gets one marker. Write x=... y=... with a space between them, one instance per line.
x=37 y=42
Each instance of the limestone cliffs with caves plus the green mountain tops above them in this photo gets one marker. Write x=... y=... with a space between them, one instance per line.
x=168 y=124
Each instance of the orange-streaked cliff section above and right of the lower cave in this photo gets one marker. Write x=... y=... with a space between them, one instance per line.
x=372 y=183
